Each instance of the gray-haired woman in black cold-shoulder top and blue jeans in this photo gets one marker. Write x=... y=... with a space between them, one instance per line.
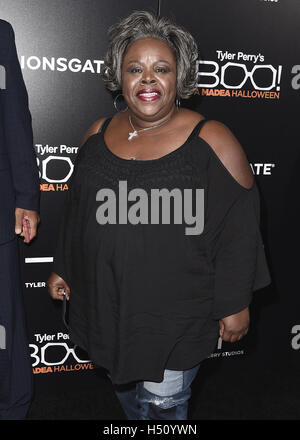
x=149 y=296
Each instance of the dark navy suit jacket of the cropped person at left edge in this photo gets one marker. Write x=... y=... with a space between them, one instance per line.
x=19 y=178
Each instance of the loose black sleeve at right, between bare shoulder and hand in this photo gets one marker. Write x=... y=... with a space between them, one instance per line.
x=240 y=264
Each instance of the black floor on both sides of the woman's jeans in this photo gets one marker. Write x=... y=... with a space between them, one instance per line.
x=217 y=394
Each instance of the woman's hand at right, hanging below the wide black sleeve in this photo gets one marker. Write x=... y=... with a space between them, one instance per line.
x=235 y=327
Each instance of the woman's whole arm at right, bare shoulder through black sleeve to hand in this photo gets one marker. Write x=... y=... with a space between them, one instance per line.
x=240 y=263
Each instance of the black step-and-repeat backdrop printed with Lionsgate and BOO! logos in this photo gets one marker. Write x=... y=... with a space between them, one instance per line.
x=248 y=78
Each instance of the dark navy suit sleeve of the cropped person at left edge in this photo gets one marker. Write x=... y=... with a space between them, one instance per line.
x=18 y=133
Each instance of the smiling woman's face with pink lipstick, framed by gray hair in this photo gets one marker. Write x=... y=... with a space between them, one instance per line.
x=149 y=65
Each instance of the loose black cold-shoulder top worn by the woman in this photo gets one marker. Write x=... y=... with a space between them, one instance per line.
x=146 y=294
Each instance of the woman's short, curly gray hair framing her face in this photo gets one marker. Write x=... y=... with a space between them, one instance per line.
x=142 y=24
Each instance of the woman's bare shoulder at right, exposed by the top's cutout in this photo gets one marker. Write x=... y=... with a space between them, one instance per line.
x=228 y=149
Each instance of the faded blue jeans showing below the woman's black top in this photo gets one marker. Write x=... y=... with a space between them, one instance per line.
x=166 y=400
